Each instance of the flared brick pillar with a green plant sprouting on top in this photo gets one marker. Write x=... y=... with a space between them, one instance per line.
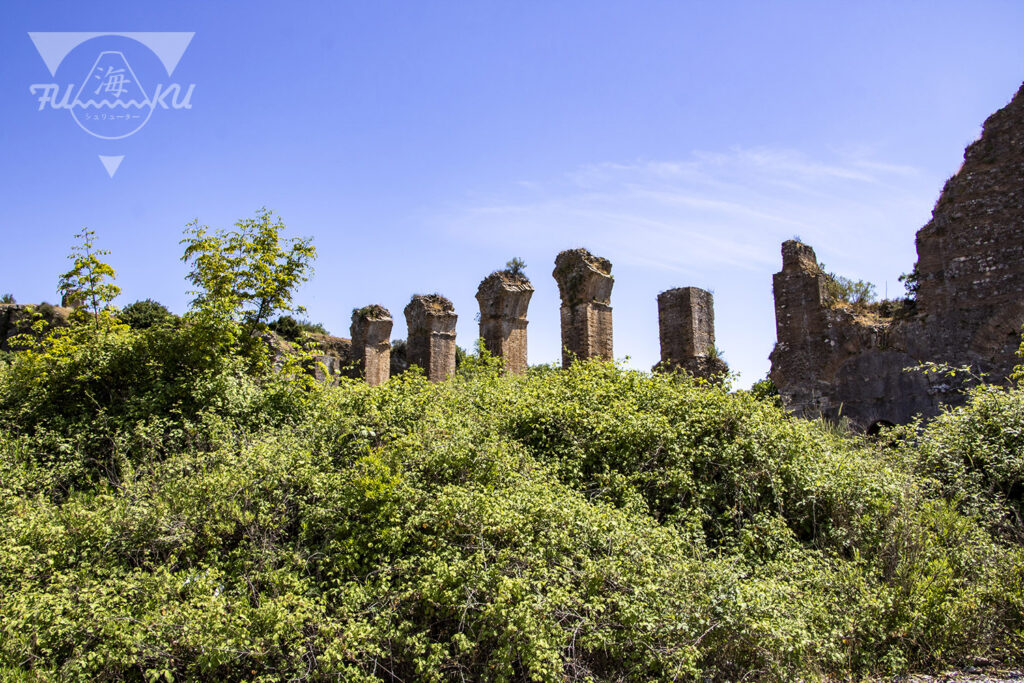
x=504 y=297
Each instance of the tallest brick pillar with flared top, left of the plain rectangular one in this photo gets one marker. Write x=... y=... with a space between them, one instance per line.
x=585 y=285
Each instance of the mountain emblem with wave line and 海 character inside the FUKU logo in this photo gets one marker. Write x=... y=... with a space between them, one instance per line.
x=112 y=103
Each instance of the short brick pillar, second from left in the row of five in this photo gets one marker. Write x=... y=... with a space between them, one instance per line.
x=432 y=322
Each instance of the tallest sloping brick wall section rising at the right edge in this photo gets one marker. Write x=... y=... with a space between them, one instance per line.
x=971 y=254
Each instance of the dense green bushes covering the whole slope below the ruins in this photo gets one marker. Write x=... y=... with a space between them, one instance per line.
x=174 y=509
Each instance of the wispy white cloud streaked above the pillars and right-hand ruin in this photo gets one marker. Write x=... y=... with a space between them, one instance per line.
x=712 y=210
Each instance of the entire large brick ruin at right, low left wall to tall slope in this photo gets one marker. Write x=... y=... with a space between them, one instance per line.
x=835 y=361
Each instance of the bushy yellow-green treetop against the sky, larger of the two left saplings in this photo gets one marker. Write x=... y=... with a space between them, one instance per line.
x=247 y=275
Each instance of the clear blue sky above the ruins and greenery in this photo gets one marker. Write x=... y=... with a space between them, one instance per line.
x=423 y=145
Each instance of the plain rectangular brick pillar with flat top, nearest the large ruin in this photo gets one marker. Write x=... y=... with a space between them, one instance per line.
x=687 y=328
